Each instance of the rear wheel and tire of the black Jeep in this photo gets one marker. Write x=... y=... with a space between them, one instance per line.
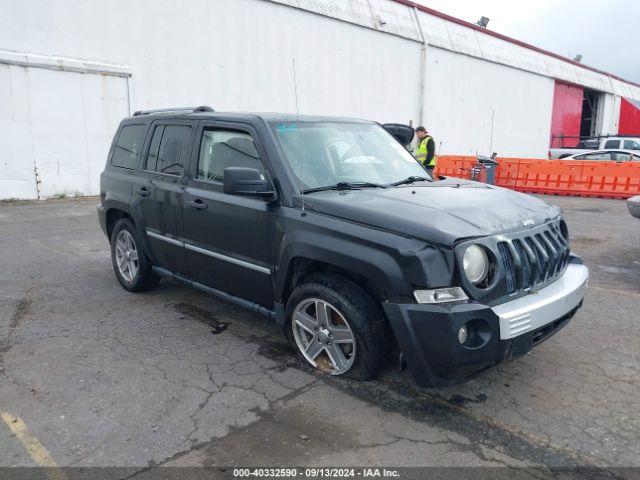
x=135 y=257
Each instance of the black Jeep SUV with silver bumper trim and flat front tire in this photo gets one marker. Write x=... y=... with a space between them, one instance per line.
x=329 y=226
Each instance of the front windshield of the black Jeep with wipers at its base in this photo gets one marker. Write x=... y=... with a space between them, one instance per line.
x=327 y=153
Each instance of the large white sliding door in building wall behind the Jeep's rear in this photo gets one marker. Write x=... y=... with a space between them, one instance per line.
x=56 y=127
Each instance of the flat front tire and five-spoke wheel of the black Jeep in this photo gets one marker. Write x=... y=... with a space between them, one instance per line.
x=350 y=312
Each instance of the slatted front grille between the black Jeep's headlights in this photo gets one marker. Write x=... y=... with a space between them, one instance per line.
x=533 y=260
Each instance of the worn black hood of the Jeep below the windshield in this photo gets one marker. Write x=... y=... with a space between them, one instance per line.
x=438 y=212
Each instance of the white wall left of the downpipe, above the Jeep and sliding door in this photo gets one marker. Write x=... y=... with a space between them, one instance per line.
x=231 y=54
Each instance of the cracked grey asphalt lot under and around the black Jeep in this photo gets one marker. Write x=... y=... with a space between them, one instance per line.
x=173 y=377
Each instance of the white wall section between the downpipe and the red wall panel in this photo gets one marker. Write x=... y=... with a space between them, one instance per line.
x=474 y=106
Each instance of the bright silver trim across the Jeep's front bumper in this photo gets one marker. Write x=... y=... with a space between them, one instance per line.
x=544 y=306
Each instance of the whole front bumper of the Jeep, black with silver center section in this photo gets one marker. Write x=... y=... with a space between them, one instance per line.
x=428 y=333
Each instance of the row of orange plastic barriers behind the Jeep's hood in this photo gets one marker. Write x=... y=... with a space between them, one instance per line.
x=554 y=177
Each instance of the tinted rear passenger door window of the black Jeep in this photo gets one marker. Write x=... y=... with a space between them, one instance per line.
x=169 y=148
